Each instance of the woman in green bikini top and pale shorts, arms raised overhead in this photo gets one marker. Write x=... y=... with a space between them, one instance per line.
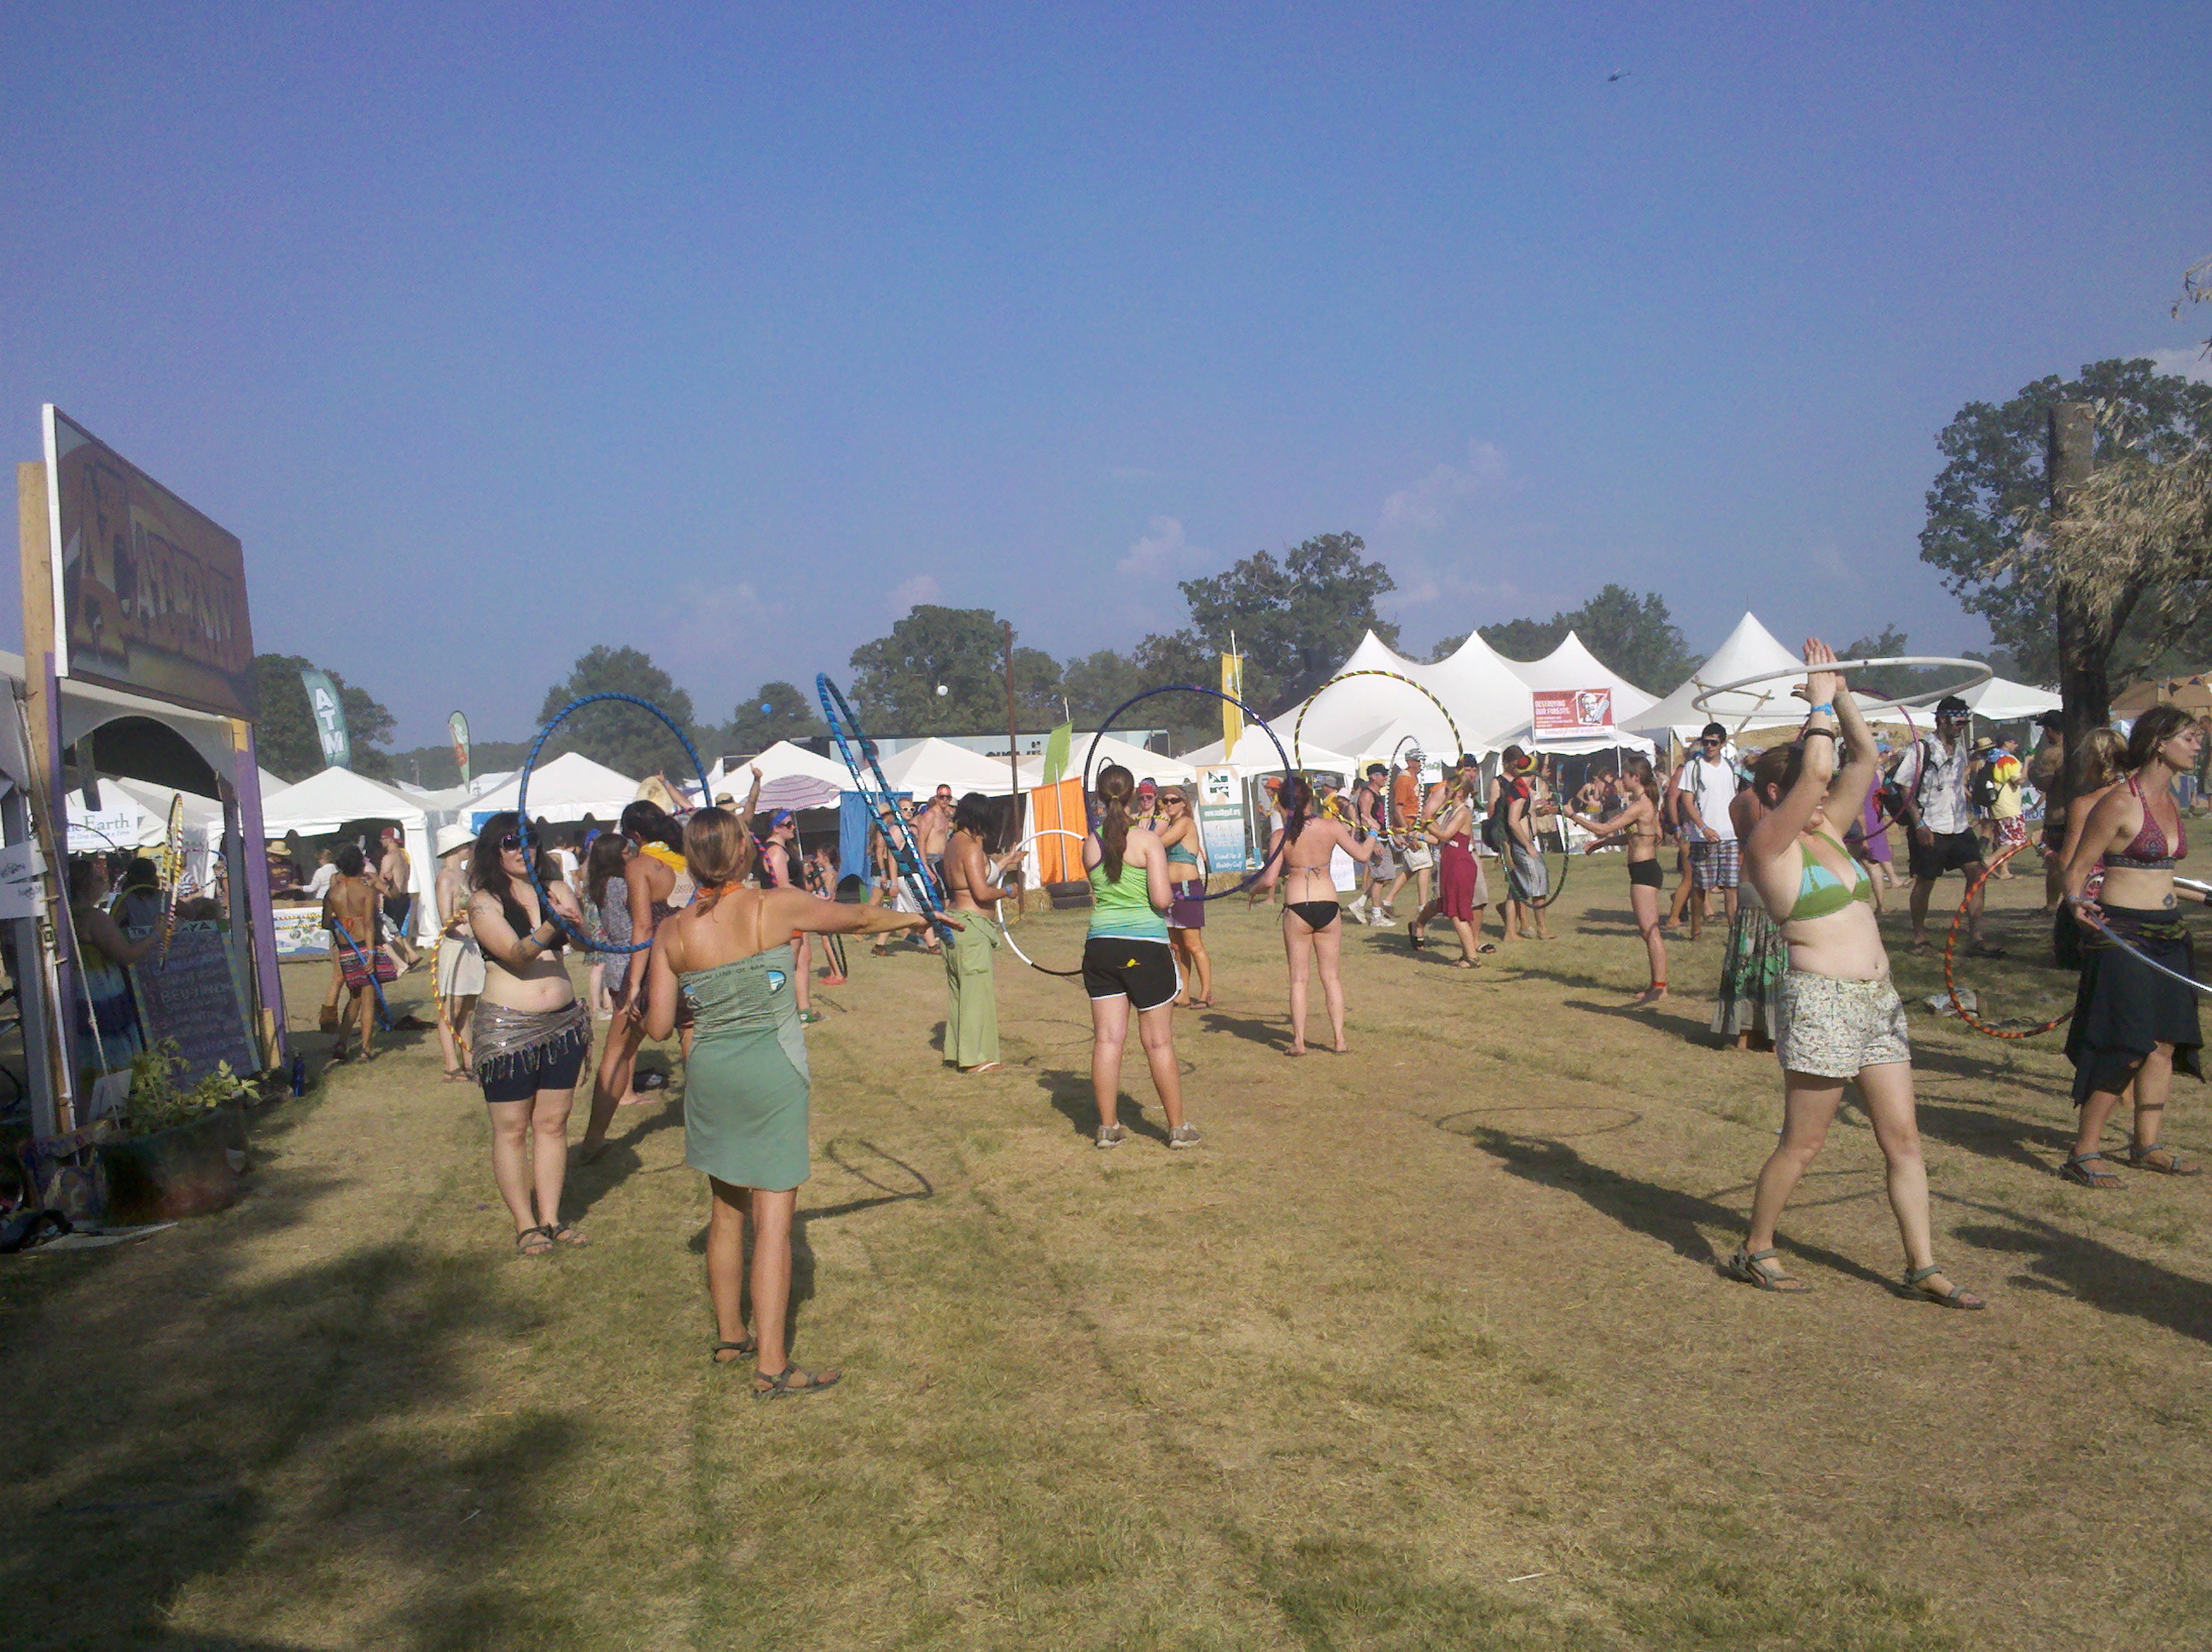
x=1839 y=1016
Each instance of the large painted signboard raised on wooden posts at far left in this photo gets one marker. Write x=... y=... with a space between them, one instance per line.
x=149 y=596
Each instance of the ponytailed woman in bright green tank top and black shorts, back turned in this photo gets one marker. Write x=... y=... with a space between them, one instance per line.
x=1129 y=961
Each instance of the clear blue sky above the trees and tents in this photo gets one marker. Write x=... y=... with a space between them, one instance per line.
x=733 y=333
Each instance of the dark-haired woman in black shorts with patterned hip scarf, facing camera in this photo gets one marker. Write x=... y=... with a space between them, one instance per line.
x=530 y=1032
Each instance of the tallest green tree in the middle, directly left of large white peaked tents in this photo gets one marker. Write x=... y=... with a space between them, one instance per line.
x=1295 y=620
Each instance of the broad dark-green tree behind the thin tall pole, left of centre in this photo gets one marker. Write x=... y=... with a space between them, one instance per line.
x=897 y=678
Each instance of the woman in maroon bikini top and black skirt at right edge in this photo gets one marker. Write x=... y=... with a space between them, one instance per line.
x=2131 y=1023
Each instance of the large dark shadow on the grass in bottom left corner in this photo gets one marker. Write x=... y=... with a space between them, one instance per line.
x=189 y=1410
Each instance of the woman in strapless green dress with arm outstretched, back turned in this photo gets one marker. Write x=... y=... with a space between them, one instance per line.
x=729 y=956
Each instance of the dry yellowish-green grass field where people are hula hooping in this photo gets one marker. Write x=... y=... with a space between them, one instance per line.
x=1426 y=1348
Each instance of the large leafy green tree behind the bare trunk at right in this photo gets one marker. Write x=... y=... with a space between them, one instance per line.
x=1992 y=492
